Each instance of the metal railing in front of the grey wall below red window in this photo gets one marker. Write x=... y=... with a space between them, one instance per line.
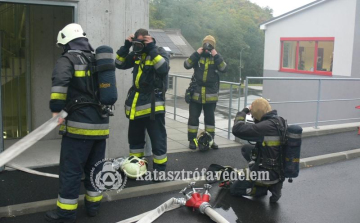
x=318 y=100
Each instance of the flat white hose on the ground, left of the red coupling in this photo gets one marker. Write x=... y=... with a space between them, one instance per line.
x=151 y=216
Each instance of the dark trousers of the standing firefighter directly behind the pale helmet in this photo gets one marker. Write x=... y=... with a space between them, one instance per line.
x=157 y=133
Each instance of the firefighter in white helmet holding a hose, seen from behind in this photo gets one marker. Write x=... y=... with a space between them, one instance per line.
x=85 y=129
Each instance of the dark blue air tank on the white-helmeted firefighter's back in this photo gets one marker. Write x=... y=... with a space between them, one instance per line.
x=105 y=67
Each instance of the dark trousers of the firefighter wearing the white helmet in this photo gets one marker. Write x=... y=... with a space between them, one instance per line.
x=78 y=156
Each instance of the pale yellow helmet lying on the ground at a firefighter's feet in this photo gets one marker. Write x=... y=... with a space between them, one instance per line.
x=134 y=167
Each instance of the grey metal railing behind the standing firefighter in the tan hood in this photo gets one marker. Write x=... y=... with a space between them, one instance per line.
x=176 y=76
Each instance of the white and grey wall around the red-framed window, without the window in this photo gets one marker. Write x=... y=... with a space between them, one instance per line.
x=335 y=18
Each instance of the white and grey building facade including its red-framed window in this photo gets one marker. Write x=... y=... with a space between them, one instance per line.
x=318 y=40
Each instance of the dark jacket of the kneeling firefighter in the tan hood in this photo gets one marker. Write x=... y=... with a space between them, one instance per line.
x=268 y=142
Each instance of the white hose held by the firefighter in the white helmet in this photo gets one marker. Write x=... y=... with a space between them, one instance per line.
x=29 y=140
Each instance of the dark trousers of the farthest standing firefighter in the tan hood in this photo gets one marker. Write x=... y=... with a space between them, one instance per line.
x=194 y=114
